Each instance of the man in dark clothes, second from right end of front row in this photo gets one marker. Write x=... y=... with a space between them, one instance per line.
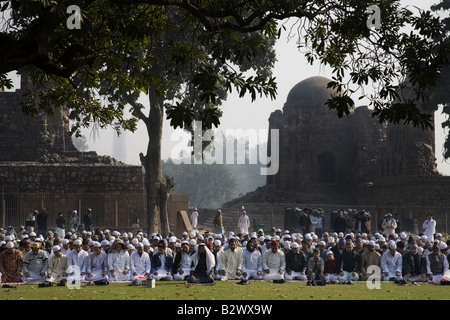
x=414 y=265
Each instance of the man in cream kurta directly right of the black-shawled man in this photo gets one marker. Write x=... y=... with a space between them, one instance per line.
x=231 y=261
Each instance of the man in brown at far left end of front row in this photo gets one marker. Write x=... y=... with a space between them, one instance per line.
x=11 y=261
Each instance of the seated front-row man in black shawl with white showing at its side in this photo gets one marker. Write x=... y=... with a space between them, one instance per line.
x=203 y=263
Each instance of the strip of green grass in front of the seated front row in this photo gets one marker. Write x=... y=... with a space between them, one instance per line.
x=229 y=290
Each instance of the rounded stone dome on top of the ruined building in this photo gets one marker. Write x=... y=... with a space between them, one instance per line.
x=310 y=93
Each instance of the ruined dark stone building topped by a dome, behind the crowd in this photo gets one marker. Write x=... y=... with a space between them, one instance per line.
x=322 y=154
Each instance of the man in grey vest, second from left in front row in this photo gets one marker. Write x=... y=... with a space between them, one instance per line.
x=35 y=264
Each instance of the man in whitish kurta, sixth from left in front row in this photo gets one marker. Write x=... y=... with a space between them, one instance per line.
x=119 y=262
